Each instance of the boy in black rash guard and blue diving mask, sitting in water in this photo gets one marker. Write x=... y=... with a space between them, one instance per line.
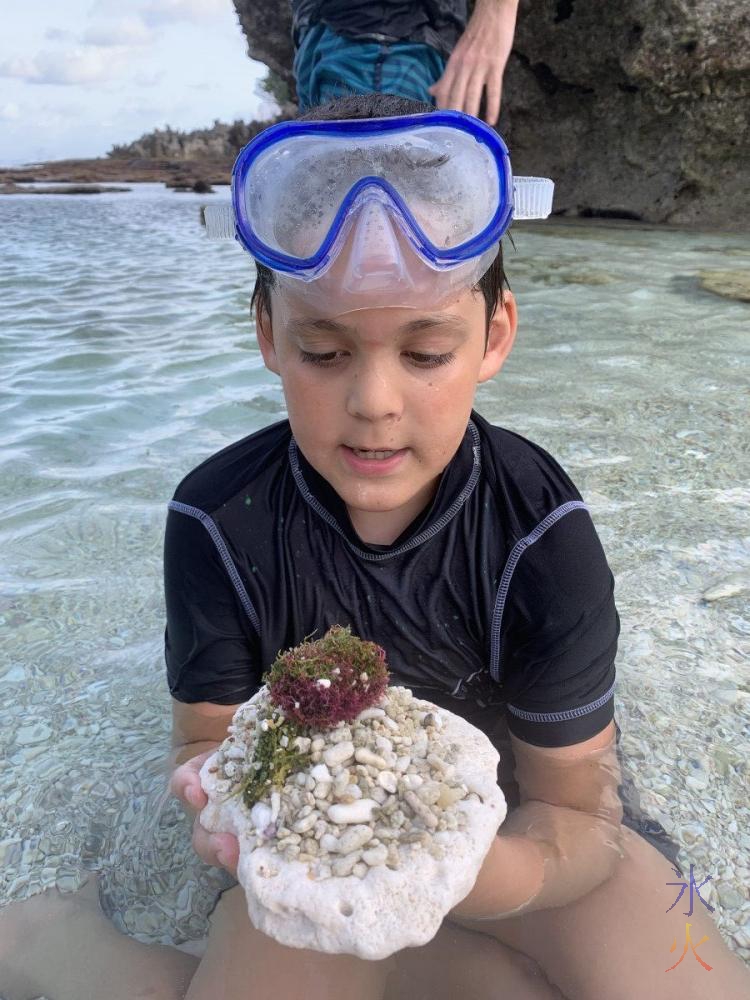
x=386 y=502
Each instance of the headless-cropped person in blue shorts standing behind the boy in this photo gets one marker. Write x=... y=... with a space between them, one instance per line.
x=429 y=51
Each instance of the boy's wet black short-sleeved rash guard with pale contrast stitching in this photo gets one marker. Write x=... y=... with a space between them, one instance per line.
x=496 y=601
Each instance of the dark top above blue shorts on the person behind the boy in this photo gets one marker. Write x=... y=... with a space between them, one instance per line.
x=438 y=23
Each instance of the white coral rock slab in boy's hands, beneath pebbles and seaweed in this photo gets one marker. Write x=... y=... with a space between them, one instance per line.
x=370 y=912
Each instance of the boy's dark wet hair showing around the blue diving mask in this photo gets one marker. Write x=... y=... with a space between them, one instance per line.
x=379 y=106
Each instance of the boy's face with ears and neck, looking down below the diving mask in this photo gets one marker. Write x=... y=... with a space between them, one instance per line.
x=387 y=379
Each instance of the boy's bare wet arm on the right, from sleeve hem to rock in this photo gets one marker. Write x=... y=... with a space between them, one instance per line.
x=564 y=838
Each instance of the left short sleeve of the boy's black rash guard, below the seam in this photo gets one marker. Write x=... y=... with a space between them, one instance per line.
x=211 y=647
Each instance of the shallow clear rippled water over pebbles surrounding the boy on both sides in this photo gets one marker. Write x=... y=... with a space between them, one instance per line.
x=127 y=356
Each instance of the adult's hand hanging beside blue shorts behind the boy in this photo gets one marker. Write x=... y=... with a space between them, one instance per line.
x=478 y=61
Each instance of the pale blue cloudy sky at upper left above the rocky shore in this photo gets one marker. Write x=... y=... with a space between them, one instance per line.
x=79 y=76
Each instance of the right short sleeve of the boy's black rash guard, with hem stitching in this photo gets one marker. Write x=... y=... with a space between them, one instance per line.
x=559 y=646
